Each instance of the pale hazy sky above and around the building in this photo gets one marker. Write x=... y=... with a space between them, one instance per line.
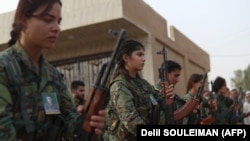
x=219 y=27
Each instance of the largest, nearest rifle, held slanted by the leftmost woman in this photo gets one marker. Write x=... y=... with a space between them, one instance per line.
x=99 y=94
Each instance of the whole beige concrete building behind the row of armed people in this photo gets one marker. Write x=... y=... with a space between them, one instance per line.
x=84 y=43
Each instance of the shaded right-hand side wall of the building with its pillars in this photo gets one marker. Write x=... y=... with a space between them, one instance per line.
x=180 y=48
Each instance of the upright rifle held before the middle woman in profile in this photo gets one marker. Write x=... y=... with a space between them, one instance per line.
x=168 y=105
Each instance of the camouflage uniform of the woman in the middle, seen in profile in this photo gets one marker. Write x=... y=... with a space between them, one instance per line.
x=131 y=104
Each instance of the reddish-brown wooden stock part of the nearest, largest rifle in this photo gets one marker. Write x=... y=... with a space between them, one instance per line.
x=92 y=106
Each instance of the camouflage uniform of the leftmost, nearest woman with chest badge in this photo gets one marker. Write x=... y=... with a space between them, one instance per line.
x=22 y=114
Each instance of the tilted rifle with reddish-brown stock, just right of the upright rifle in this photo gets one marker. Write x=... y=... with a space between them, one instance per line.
x=188 y=107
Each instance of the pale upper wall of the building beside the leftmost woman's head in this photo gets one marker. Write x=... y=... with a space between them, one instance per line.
x=89 y=12
